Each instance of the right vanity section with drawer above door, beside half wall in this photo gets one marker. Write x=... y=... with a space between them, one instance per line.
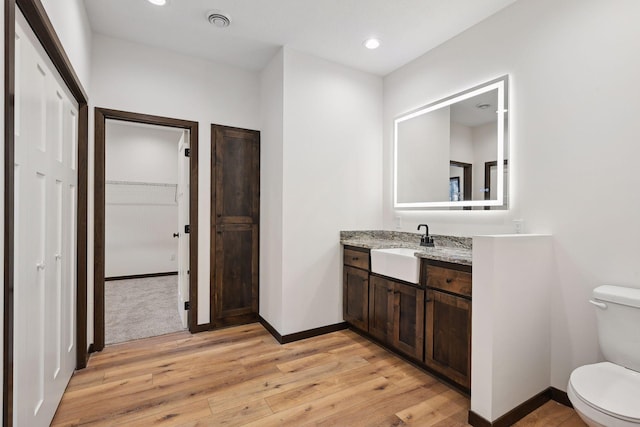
x=448 y=322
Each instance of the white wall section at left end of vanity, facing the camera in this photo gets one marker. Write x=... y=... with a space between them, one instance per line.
x=331 y=181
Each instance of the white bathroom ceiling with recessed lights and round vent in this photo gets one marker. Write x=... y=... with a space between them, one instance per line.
x=331 y=29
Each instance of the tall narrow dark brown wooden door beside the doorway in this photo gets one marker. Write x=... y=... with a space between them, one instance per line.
x=235 y=201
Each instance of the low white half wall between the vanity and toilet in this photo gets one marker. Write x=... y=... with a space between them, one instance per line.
x=511 y=321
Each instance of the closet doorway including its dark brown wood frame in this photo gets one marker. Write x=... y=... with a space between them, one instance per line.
x=145 y=226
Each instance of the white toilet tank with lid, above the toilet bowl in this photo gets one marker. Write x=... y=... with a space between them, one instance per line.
x=619 y=324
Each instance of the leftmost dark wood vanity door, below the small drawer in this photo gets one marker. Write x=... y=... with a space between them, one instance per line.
x=355 y=294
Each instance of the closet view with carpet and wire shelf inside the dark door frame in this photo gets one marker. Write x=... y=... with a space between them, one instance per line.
x=146 y=247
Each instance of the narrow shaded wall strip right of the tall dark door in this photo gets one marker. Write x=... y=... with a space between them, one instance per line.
x=271 y=161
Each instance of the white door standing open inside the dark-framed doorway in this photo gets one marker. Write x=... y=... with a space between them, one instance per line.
x=183 y=219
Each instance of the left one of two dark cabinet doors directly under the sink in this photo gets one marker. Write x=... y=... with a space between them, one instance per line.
x=380 y=307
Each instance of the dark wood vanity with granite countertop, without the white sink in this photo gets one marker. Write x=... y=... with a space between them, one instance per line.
x=428 y=322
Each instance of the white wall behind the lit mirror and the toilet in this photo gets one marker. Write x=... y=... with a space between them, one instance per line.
x=574 y=130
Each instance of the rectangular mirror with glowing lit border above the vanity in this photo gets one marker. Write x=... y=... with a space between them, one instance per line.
x=453 y=153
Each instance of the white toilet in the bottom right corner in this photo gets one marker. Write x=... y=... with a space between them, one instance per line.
x=608 y=393
